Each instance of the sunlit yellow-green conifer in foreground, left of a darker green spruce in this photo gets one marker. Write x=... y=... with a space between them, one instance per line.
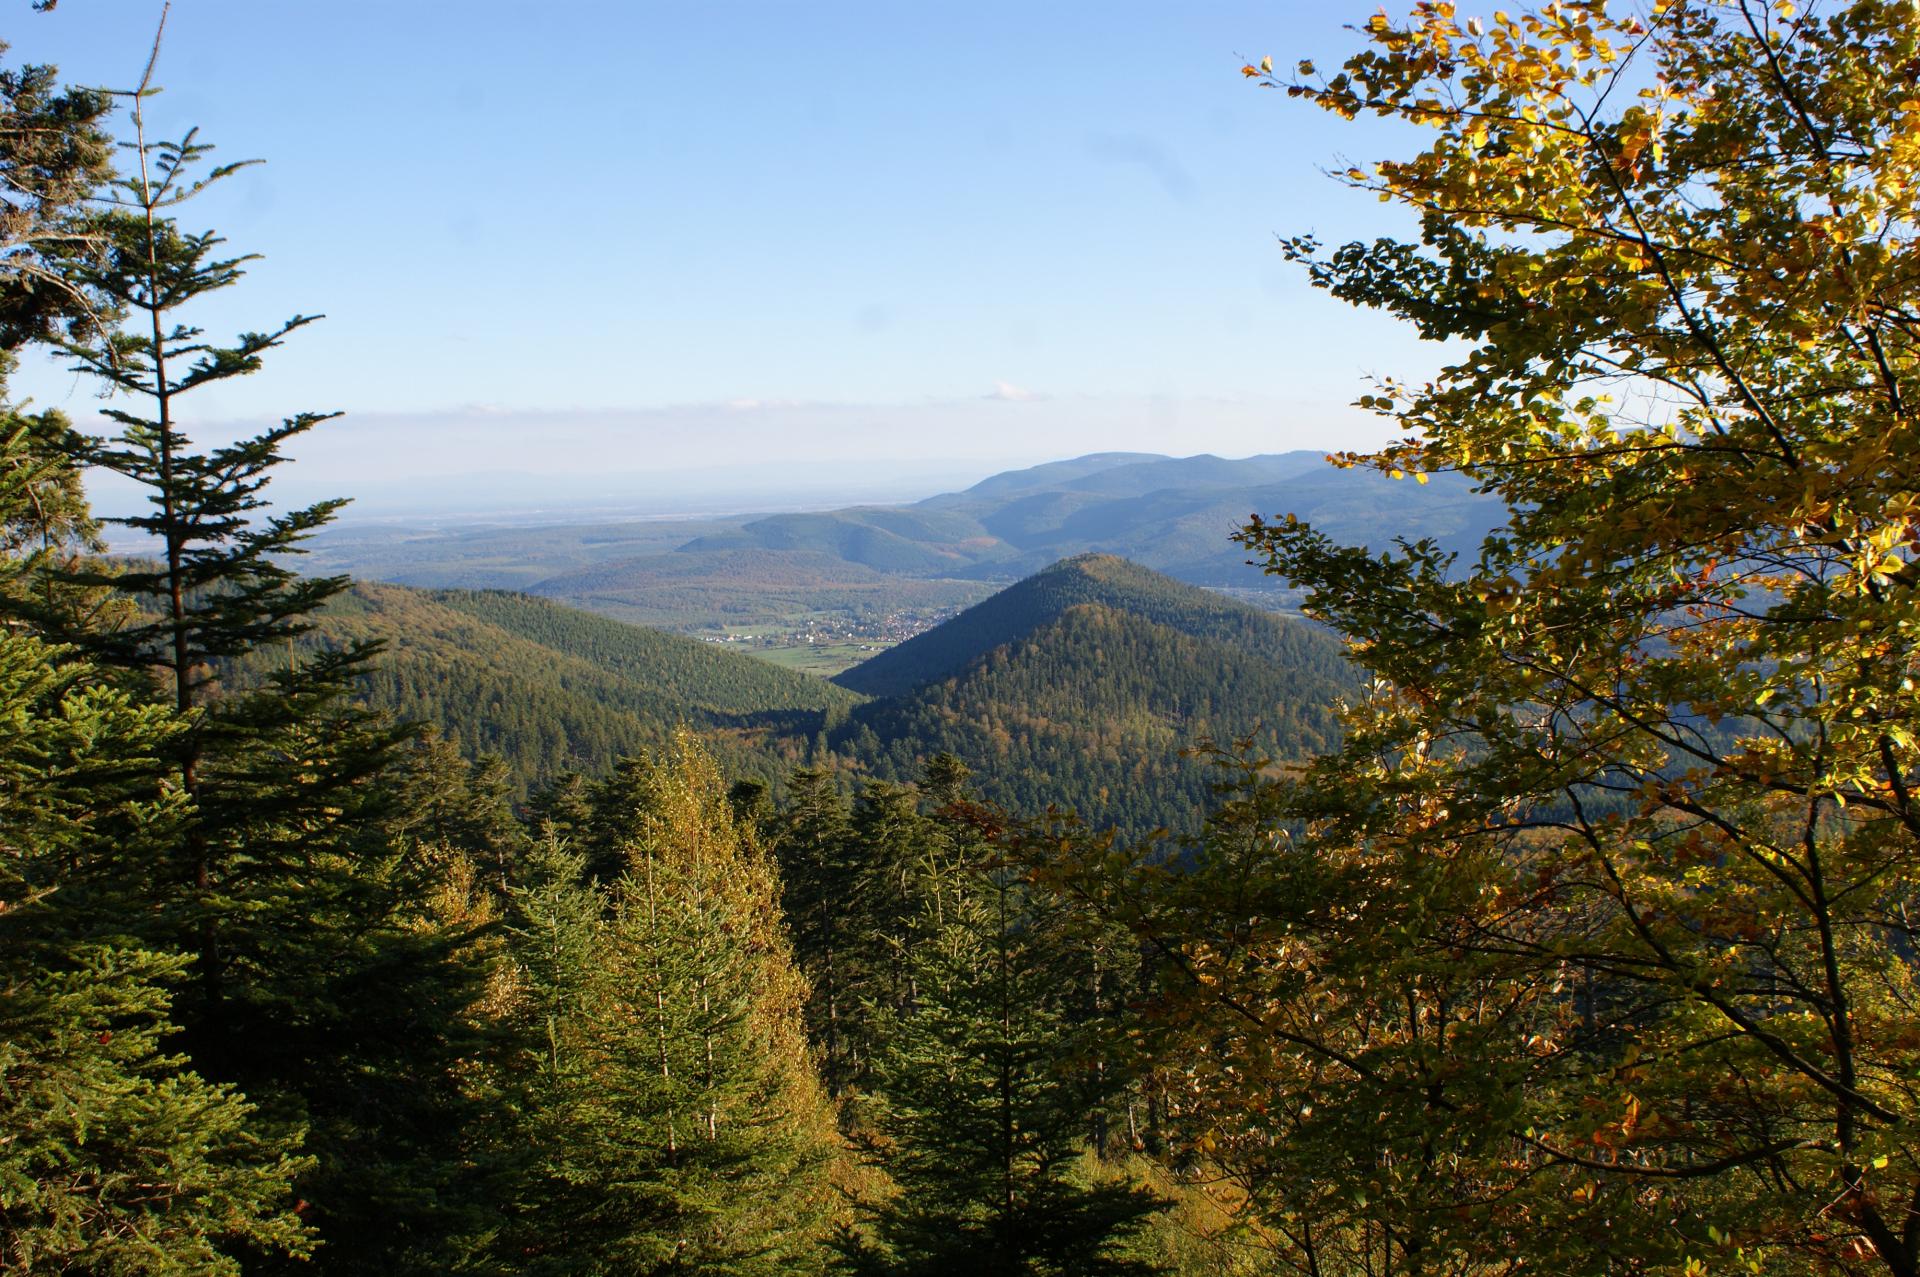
x=679 y=1119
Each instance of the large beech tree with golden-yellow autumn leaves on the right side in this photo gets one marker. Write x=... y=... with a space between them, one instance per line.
x=1595 y=950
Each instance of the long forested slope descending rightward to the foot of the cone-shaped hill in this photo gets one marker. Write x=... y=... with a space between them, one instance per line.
x=552 y=690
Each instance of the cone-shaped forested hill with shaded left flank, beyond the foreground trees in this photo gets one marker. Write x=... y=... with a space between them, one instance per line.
x=1086 y=685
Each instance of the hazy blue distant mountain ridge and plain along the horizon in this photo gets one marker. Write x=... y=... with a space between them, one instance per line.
x=1176 y=516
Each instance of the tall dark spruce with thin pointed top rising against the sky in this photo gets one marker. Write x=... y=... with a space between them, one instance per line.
x=320 y=984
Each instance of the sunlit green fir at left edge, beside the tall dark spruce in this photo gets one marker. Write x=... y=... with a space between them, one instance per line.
x=114 y=1157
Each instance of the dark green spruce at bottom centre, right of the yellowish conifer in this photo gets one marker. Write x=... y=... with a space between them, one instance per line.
x=986 y=1090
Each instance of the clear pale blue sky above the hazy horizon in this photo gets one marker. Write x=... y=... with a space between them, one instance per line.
x=640 y=249
